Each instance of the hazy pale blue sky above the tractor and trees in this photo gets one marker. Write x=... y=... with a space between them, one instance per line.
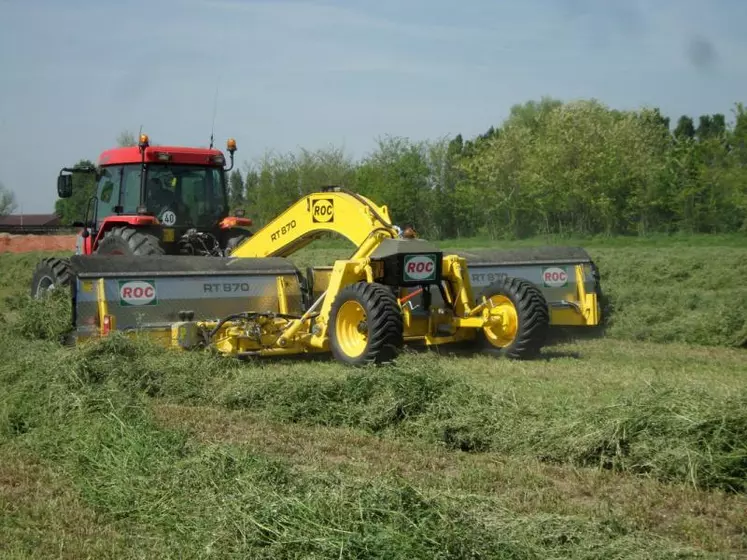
x=312 y=73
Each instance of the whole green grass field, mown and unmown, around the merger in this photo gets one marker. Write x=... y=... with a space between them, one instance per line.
x=629 y=446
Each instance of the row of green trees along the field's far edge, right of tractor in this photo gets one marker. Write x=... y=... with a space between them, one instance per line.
x=550 y=167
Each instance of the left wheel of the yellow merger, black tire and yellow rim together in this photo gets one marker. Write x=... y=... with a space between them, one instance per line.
x=366 y=325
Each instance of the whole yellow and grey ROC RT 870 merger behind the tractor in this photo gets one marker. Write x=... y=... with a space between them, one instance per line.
x=393 y=290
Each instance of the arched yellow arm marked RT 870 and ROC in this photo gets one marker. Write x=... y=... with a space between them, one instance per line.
x=349 y=214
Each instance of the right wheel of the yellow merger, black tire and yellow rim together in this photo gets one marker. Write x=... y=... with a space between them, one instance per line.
x=525 y=319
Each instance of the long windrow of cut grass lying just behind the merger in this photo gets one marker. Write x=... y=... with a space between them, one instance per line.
x=691 y=434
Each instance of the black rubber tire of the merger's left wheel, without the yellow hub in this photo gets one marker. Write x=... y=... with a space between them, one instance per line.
x=384 y=325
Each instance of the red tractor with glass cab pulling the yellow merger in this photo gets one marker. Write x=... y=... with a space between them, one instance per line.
x=152 y=200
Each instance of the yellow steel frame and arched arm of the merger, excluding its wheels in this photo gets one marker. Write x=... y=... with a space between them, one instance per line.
x=365 y=224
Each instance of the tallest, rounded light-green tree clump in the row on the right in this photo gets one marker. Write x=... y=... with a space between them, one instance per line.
x=573 y=168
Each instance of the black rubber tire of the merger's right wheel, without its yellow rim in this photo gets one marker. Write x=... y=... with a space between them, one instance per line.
x=533 y=318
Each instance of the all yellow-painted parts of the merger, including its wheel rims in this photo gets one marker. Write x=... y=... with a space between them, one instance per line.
x=366 y=225
